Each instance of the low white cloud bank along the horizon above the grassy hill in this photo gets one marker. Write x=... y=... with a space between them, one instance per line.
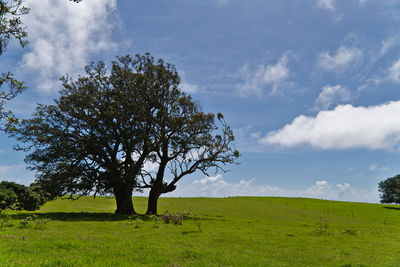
x=217 y=186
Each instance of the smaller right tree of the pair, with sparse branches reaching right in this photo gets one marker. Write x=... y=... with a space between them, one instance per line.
x=190 y=141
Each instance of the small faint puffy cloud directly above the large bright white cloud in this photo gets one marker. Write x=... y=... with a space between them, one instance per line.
x=331 y=95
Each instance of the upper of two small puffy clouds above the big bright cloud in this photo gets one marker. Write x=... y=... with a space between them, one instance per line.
x=344 y=58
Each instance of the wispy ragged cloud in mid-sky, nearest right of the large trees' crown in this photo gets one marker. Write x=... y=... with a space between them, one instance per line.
x=263 y=77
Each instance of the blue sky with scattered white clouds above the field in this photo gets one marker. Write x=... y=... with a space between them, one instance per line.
x=310 y=87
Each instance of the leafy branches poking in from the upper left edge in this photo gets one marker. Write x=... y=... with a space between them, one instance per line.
x=11 y=27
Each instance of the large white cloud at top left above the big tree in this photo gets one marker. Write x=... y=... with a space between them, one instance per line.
x=63 y=35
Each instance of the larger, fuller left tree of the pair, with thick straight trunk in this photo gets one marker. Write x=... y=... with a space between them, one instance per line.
x=97 y=135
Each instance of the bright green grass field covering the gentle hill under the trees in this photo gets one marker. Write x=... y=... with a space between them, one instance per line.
x=239 y=231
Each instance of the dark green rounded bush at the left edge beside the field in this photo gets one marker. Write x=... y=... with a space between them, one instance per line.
x=20 y=197
